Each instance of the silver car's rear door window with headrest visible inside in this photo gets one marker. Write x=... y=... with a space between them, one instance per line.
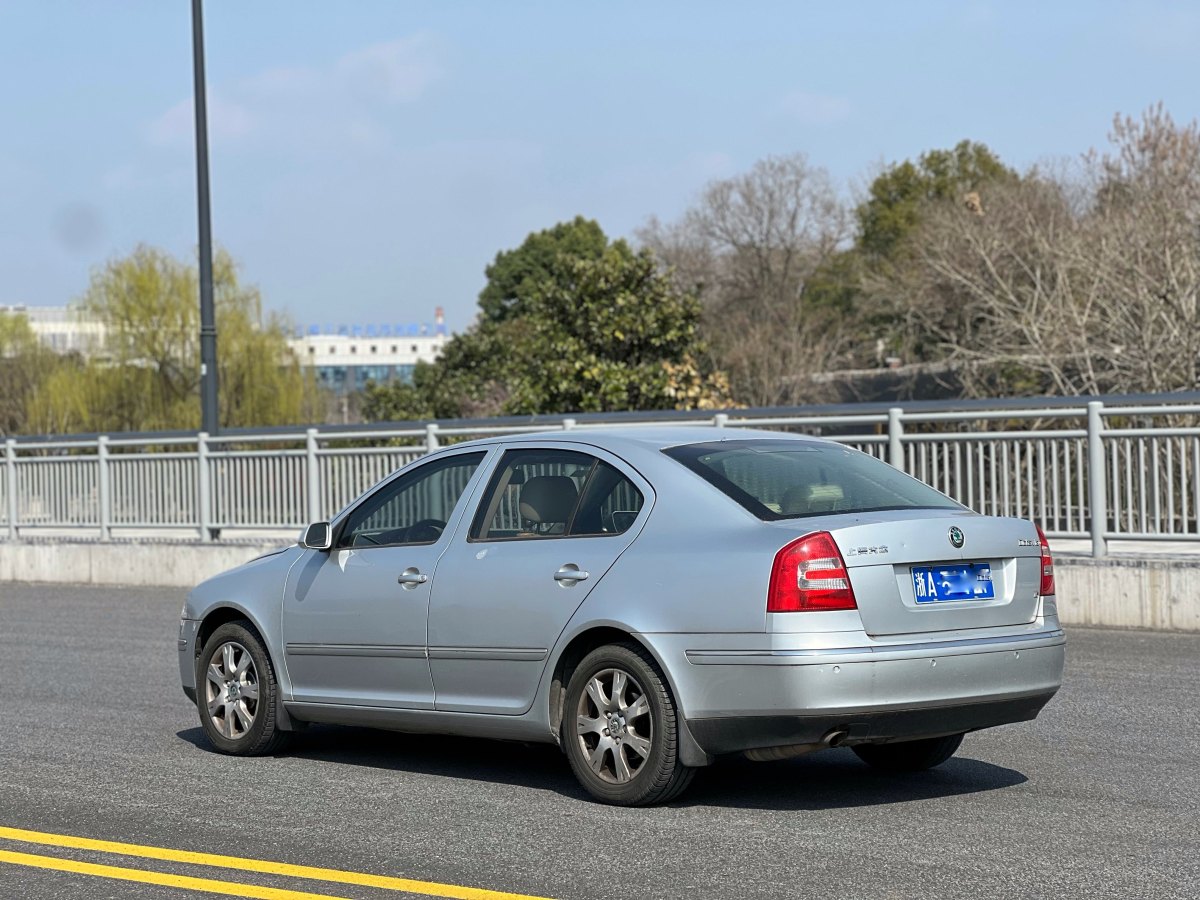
x=555 y=494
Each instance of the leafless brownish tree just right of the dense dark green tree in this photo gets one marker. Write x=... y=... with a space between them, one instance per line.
x=748 y=249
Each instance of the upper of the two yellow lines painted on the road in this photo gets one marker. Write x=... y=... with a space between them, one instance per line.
x=429 y=889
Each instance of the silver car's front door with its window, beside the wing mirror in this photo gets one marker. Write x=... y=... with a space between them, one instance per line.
x=356 y=616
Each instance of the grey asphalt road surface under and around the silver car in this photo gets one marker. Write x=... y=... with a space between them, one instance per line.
x=1100 y=797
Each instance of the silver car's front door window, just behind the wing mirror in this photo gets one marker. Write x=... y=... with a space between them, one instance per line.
x=415 y=508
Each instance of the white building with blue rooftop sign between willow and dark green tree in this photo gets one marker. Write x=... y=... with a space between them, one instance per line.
x=346 y=358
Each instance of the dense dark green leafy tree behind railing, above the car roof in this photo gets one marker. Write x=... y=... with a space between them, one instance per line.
x=592 y=333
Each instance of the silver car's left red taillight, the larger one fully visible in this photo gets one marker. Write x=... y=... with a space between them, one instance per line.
x=811 y=574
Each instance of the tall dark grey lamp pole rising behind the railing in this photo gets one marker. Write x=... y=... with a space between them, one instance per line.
x=208 y=317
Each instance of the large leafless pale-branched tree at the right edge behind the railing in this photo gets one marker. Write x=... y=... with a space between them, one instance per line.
x=1072 y=285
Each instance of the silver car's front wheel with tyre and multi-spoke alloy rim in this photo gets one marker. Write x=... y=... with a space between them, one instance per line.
x=237 y=693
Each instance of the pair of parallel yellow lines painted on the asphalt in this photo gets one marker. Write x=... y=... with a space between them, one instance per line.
x=212 y=886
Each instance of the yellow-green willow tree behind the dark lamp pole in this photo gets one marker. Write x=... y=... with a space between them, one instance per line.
x=148 y=374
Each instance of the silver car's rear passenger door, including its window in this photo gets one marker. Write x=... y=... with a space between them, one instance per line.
x=549 y=526
